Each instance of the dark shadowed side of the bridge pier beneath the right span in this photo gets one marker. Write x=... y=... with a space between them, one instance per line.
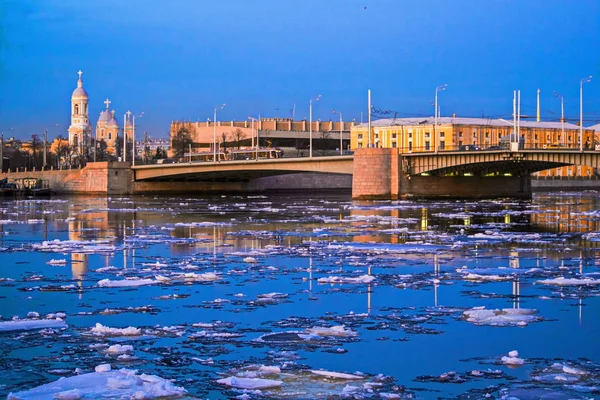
x=466 y=187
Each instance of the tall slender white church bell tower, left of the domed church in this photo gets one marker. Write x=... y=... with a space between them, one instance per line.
x=80 y=131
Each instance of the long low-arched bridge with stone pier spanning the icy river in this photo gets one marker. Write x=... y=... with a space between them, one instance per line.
x=384 y=173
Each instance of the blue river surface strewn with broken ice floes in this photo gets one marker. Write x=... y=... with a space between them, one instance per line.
x=299 y=296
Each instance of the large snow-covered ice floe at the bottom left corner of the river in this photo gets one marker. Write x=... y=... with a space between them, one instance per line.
x=104 y=383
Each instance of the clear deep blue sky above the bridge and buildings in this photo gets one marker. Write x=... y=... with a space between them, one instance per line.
x=179 y=59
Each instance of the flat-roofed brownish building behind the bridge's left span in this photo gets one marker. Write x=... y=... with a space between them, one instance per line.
x=272 y=132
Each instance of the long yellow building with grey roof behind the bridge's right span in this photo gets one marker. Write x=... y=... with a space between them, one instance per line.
x=452 y=133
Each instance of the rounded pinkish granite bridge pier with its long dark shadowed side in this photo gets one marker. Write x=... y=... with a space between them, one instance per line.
x=382 y=174
